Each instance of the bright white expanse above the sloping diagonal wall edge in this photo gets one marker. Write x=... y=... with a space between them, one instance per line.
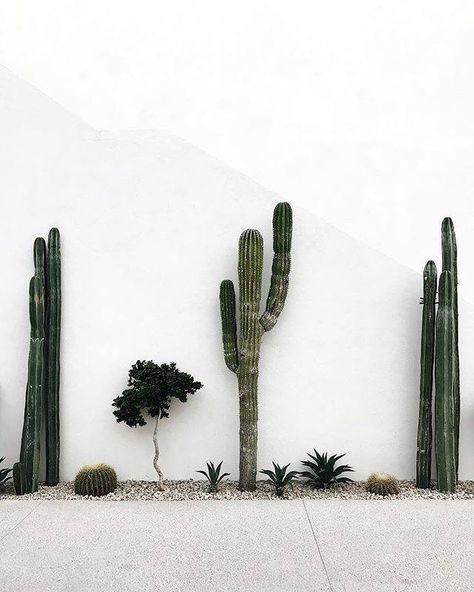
x=361 y=112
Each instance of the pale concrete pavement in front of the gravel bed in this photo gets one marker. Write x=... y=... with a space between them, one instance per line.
x=245 y=546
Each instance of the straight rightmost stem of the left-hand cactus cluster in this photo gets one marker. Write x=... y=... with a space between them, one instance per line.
x=53 y=333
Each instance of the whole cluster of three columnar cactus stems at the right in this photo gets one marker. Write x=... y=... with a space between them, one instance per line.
x=439 y=347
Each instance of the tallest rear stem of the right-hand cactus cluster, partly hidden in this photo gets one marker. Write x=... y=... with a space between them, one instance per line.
x=449 y=263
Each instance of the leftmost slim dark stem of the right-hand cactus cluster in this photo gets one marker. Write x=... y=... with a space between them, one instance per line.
x=424 y=440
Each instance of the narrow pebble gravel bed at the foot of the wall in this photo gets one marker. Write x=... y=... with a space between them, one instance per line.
x=197 y=490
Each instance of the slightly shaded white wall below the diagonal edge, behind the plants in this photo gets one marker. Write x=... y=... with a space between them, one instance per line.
x=149 y=228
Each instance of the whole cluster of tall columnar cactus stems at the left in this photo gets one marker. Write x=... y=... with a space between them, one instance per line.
x=42 y=391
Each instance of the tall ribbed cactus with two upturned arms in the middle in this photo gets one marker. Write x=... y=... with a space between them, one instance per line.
x=242 y=348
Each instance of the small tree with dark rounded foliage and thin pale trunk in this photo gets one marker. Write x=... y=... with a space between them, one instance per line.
x=152 y=387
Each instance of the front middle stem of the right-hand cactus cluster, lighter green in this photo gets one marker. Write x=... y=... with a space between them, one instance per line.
x=445 y=375
